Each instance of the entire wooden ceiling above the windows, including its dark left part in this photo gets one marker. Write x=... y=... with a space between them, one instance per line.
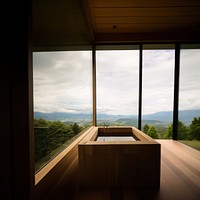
x=64 y=22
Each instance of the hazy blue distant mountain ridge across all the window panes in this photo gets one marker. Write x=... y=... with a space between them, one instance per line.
x=185 y=116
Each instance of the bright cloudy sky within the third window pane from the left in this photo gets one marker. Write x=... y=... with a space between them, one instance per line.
x=158 y=81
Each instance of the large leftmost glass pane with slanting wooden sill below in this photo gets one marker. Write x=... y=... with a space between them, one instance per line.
x=62 y=100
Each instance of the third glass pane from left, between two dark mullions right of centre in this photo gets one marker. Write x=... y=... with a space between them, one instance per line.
x=157 y=97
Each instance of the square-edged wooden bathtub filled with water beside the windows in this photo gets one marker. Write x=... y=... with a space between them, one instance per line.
x=119 y=163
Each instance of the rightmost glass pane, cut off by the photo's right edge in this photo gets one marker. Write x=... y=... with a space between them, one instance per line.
x=189 y=104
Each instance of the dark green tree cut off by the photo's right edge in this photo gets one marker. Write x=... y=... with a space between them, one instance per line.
x=195 y=128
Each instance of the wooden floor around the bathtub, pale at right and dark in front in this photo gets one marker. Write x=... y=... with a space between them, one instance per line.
x=180 y=179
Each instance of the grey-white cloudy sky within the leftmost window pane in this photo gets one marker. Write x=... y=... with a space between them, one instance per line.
x=62 y=81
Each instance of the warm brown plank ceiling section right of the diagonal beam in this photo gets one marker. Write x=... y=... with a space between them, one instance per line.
x=111 y=17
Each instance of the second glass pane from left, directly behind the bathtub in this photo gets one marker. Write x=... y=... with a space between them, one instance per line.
x=117 y=87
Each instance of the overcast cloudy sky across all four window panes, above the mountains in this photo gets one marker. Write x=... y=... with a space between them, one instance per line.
x=63 y=81
